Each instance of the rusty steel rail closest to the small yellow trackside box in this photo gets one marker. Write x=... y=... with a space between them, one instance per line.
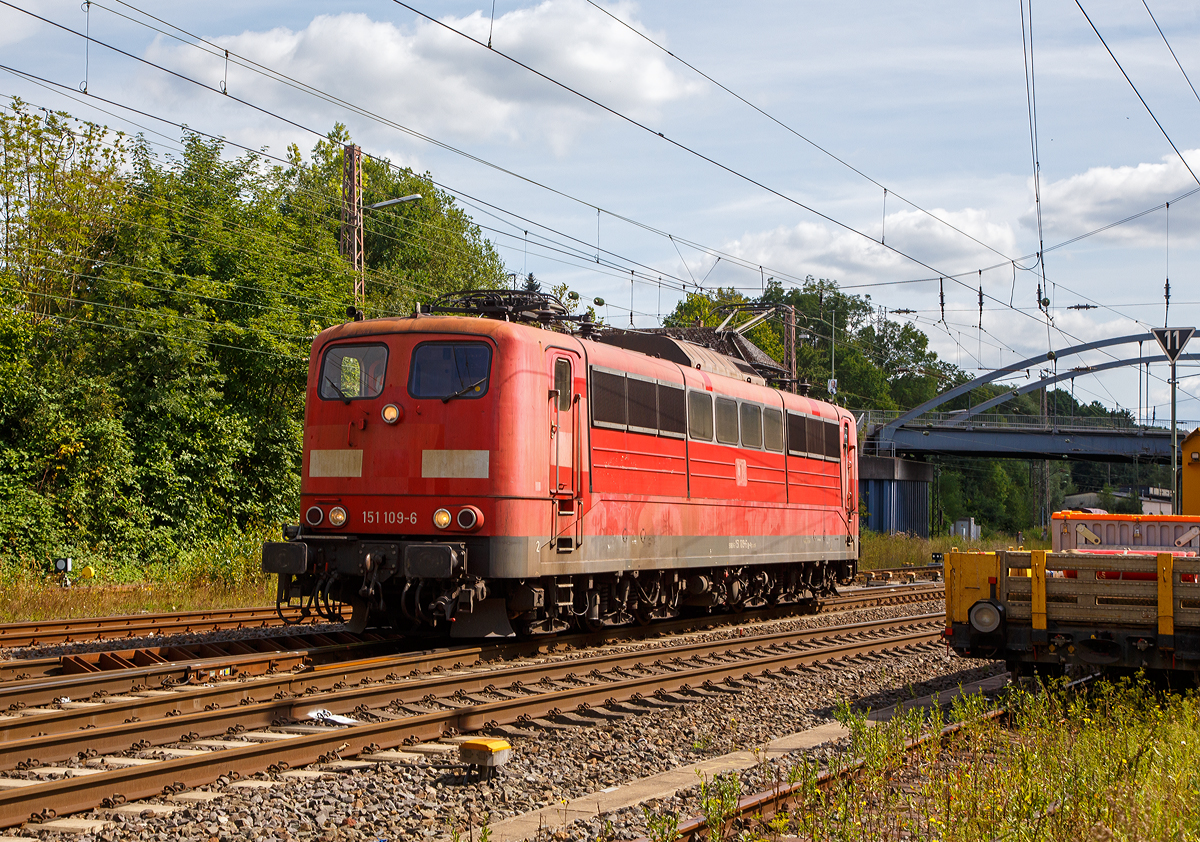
x=74 y=795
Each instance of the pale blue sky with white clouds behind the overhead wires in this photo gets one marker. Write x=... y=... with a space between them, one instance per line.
x=926 y=99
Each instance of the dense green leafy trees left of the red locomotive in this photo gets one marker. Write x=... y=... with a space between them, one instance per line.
x=158 y=322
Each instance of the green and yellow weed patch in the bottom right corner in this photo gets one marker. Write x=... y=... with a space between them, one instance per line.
x=1121 y=762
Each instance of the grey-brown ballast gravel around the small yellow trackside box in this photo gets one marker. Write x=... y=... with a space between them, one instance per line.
x=394 y=802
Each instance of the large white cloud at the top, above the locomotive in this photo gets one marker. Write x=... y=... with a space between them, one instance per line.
x=436 y=82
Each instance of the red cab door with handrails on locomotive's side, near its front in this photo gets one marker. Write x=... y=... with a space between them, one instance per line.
x=565 y=450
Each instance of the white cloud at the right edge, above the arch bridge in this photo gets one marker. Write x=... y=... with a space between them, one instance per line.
x=1105 y=195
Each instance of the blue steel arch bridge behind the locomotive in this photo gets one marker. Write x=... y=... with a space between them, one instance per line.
x=895 y=472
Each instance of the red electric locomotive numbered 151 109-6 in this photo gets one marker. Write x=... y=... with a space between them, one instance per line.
x=494 y=477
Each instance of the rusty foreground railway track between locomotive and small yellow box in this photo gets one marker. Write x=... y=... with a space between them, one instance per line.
x=83 y=755
